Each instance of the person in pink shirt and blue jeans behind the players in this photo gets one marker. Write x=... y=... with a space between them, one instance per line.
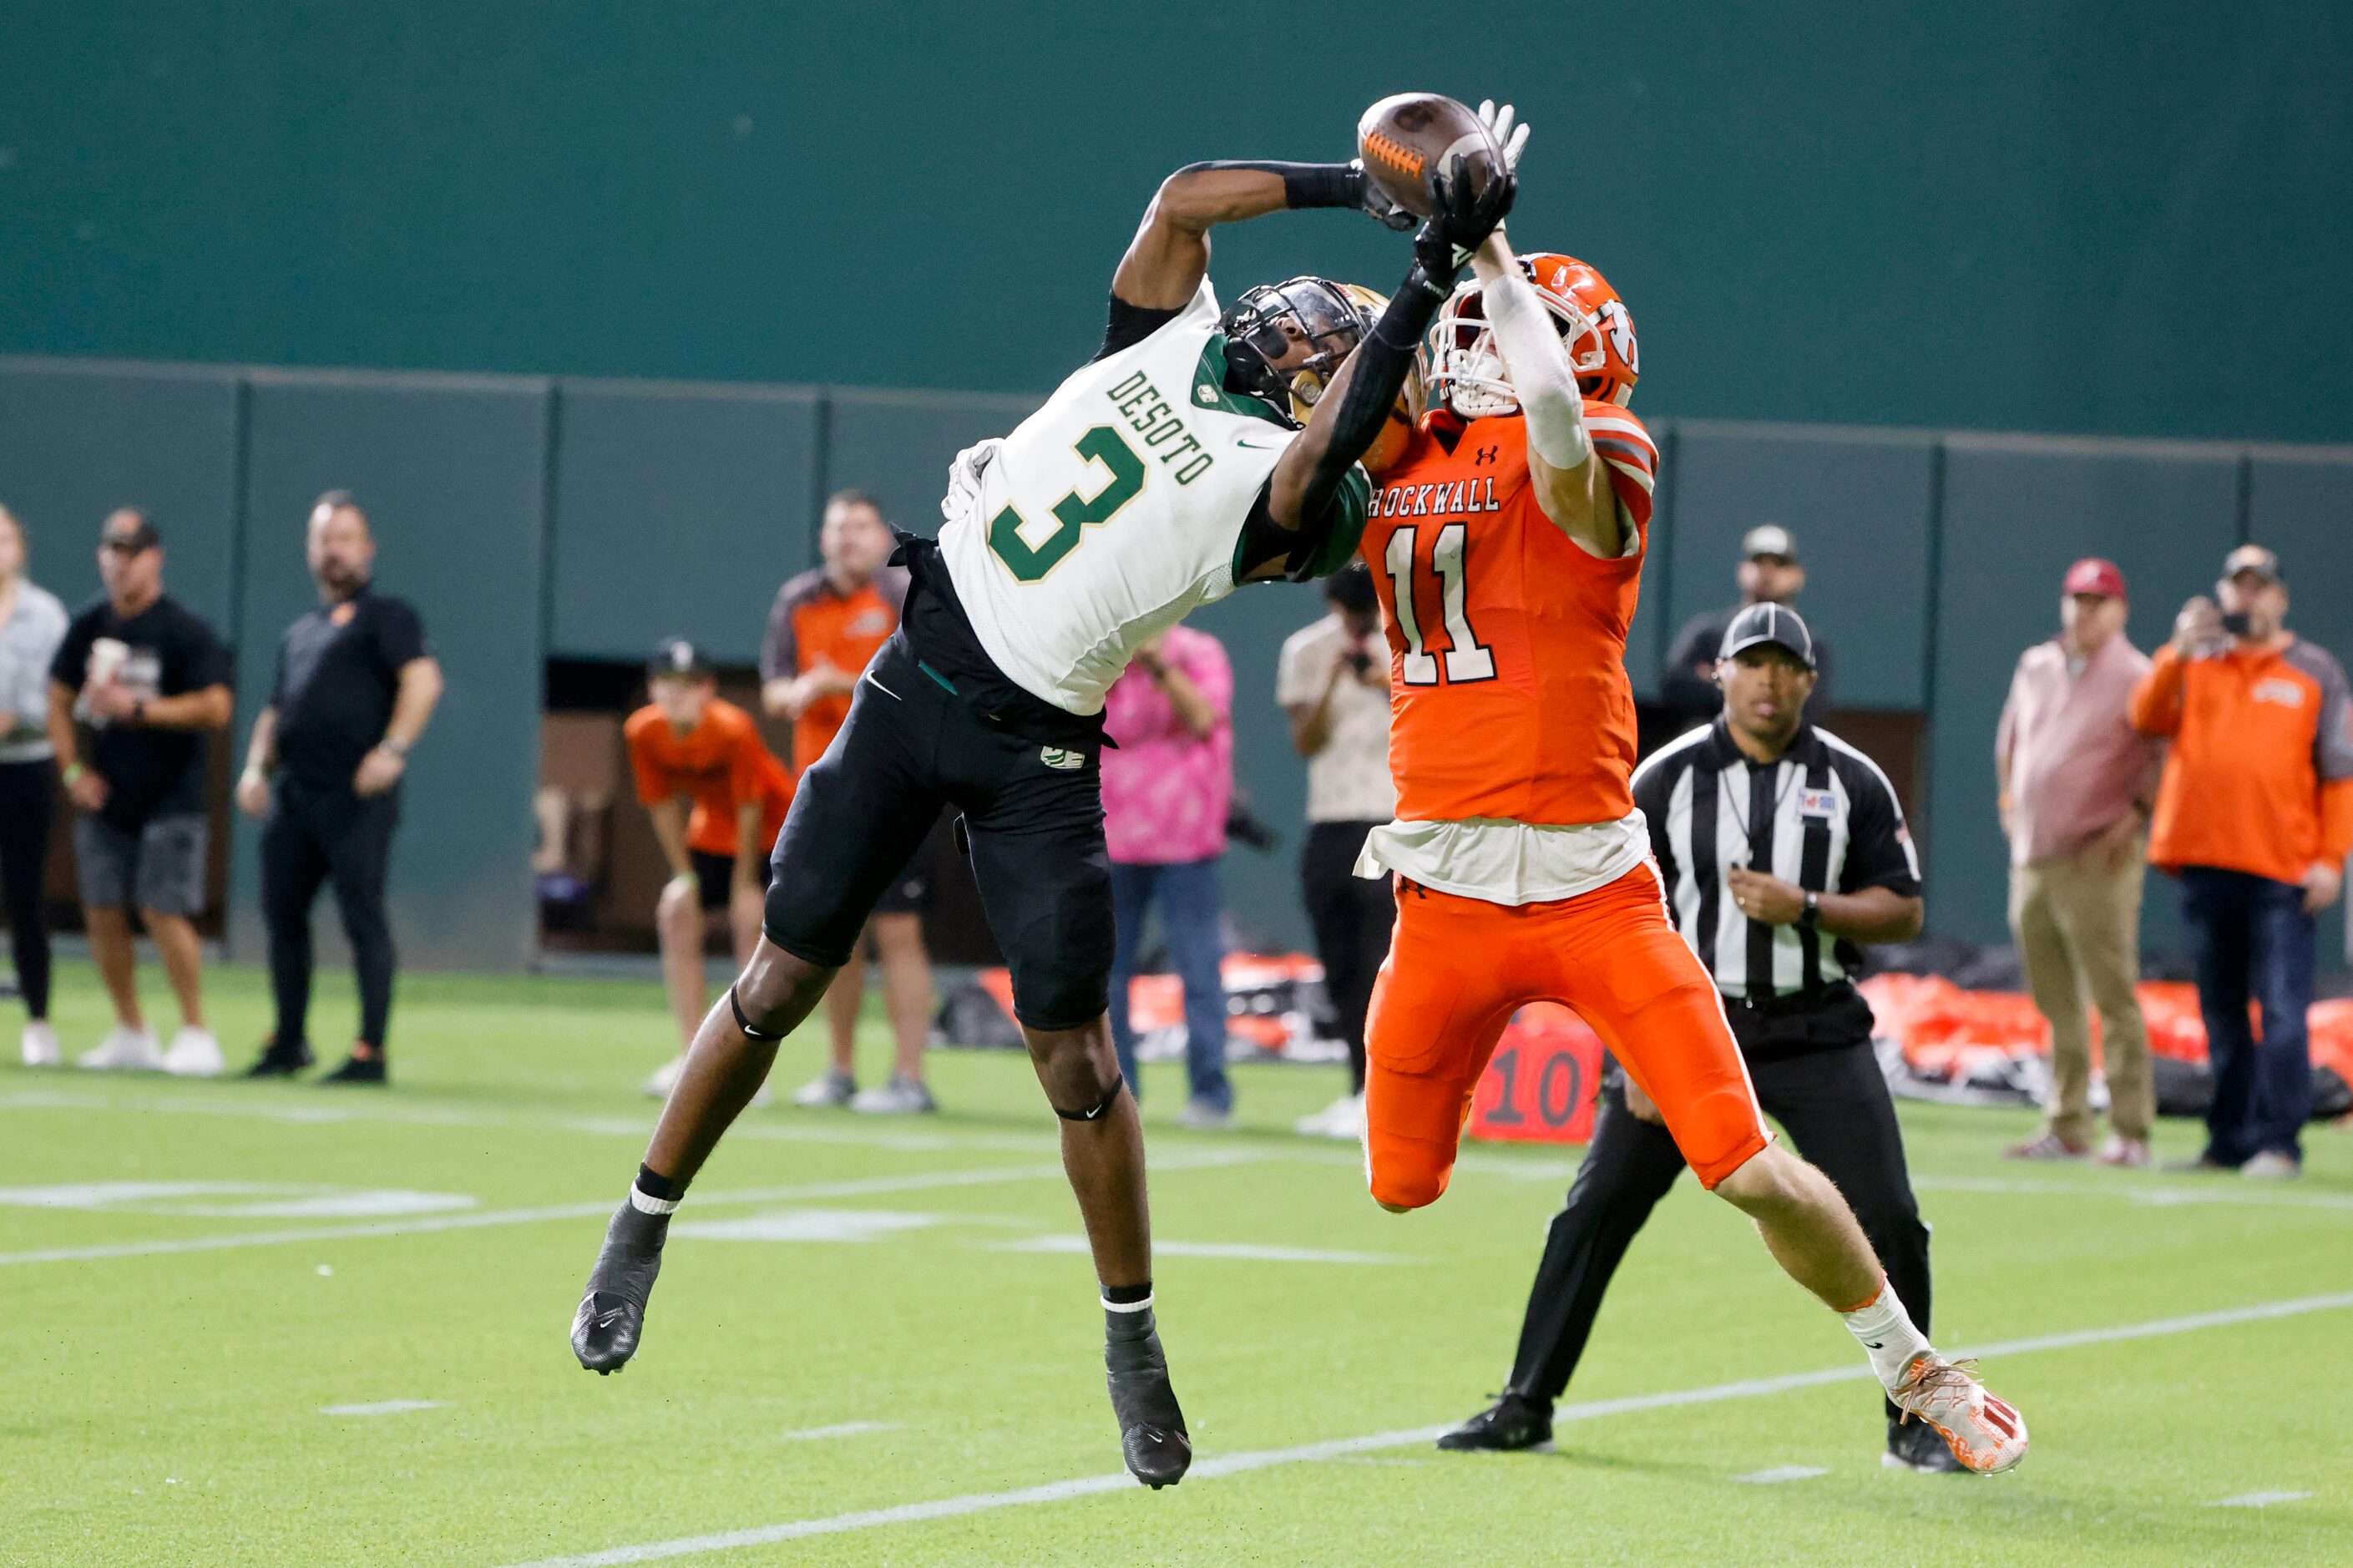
x=1166 y=792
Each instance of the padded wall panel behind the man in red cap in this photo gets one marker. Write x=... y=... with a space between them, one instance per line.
x=2015 y=514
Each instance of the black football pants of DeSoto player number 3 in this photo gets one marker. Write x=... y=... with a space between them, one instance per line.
x=1034 y=820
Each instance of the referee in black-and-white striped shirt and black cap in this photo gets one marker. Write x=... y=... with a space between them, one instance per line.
x=1780 y=849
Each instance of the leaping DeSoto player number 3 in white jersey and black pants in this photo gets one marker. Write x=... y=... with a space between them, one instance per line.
x=1039 y=583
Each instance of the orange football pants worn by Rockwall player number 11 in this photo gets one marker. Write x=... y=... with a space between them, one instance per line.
x=1458 y=971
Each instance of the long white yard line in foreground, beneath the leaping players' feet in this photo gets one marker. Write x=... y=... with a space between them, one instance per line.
x=1340 y=1449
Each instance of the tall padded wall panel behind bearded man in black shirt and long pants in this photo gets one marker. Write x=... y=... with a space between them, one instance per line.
x=453 y=472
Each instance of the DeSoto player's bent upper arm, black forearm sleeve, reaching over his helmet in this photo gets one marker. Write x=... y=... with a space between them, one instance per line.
x=1171 y=253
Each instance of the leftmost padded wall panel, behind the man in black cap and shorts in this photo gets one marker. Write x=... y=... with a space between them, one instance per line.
x=76 y=441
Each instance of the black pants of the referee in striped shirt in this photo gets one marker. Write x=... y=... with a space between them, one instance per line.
x=1832 y=1103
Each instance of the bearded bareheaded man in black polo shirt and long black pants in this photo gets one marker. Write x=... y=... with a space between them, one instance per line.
x=354 y=691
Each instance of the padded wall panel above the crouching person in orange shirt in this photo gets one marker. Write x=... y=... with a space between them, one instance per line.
x=679 y=510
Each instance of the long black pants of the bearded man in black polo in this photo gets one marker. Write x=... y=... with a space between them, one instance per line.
x=316 y=837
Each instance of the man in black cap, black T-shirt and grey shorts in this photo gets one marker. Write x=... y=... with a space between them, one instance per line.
x=149 y=682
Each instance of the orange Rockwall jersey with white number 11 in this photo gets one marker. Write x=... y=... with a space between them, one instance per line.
x=1507 y=639
